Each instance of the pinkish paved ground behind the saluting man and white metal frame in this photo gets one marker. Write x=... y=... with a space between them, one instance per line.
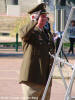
x=10 y=89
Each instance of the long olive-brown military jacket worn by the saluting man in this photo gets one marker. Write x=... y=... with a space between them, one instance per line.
x=36 y=61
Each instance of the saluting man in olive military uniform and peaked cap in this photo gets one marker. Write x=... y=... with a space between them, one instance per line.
x=36 y=60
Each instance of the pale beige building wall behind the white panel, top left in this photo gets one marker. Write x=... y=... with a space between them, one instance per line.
x=25 y=5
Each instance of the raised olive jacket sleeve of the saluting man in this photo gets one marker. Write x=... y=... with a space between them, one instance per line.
x=27 y=28
